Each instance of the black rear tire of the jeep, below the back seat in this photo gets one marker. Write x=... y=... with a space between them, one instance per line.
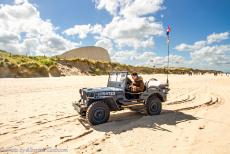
x=153 y=105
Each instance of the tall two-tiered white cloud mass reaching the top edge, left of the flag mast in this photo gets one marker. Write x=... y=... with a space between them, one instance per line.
x=131 y=26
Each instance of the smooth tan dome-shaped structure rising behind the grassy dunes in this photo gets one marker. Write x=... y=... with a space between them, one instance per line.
x=88 y=52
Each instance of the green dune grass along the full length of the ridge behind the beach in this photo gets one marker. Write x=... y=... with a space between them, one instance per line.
x=94 y=67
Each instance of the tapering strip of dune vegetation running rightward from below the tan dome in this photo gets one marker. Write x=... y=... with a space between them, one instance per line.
x=103 y=68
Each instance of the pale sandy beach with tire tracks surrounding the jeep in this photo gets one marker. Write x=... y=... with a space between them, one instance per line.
x=36 y=113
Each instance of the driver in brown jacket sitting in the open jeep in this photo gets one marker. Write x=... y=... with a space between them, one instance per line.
x=137 y=84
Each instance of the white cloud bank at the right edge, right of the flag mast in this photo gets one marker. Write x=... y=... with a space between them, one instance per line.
x=208 y=54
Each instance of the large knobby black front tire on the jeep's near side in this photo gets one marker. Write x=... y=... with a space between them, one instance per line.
x=98 y=113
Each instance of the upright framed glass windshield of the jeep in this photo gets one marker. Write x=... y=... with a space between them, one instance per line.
x=117 y=79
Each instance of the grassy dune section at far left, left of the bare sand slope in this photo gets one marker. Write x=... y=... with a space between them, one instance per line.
x=23 y=66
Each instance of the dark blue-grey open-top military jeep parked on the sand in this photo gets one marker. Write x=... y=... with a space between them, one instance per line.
x=96 y=103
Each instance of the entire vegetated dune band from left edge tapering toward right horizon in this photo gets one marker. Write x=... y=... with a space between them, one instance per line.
x=42 y=66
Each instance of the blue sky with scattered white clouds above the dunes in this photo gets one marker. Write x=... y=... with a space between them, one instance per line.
x=133 y=31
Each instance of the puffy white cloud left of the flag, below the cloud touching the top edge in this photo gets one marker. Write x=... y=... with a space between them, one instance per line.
x=132 y=32
